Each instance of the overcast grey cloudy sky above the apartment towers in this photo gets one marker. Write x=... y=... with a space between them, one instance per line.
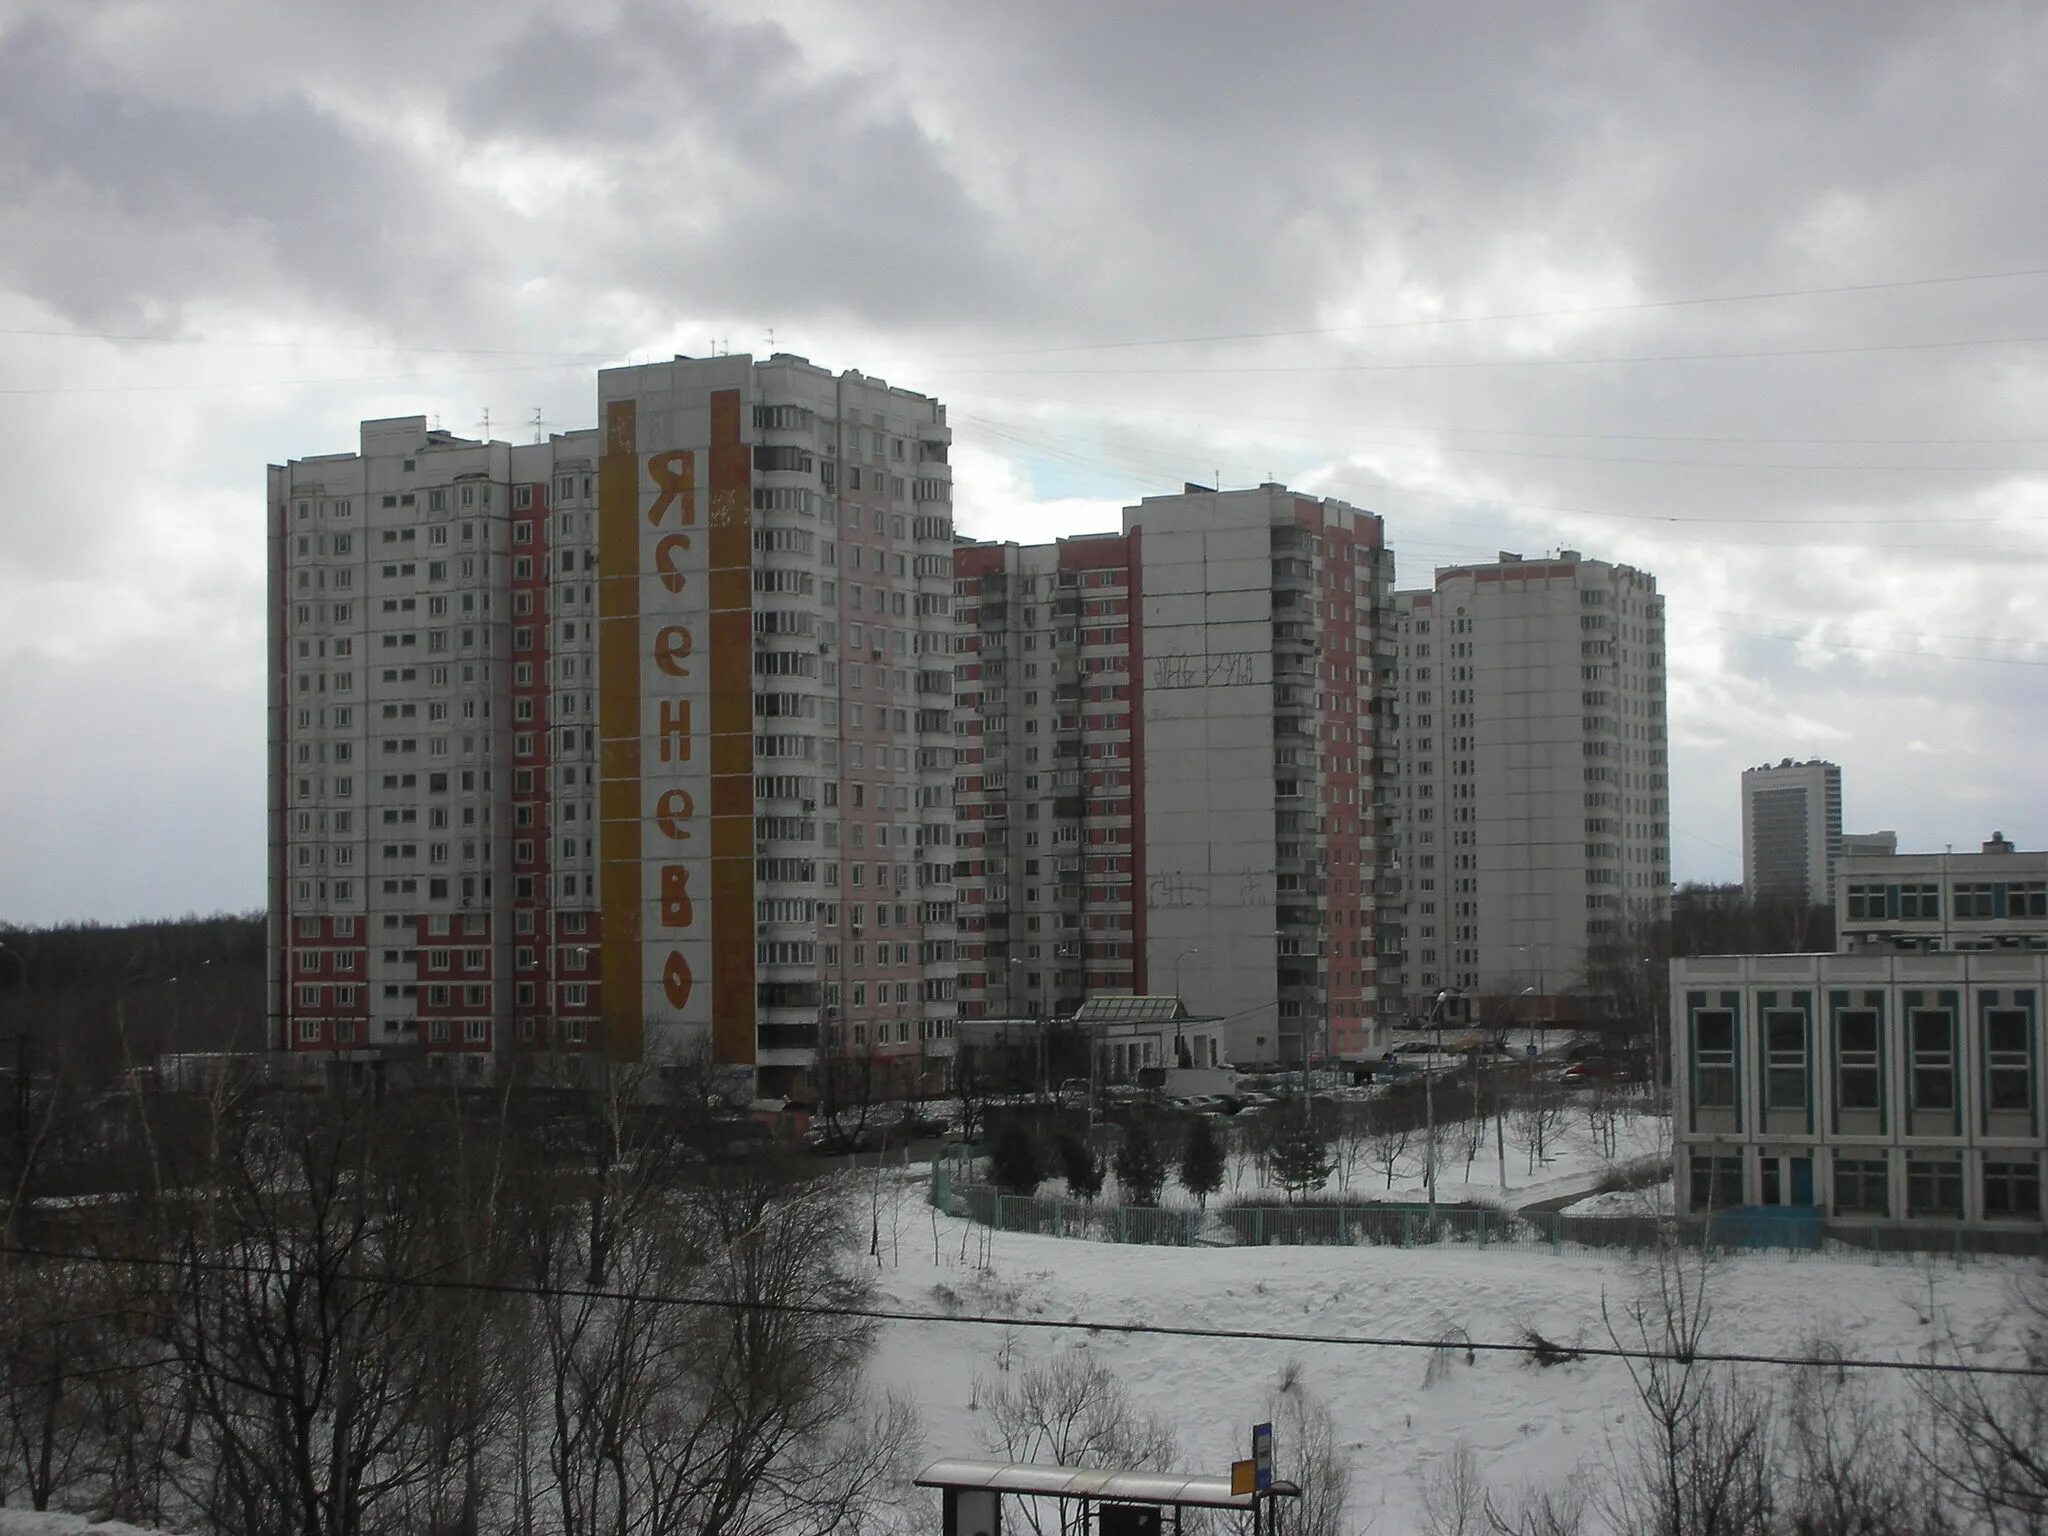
x=1744 y=296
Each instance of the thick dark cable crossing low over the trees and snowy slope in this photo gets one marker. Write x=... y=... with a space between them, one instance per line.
x=1039 y=1324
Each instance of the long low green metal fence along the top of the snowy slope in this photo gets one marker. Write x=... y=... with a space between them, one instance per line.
x=1416 y=1226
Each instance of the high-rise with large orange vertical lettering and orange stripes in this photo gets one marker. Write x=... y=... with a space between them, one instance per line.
x=624 y=740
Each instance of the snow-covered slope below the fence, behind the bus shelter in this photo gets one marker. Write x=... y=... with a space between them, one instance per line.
x=1525 y=1422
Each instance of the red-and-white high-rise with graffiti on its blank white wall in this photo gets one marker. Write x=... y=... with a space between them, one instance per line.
x=1175 y=769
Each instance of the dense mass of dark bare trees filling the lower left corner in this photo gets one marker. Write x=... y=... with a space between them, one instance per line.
x=345 y=1316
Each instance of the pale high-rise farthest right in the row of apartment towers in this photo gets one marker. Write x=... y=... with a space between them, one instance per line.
x=1535 y=802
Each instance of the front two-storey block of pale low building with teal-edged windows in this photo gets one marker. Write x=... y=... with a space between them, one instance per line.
x=1867 y=1086
